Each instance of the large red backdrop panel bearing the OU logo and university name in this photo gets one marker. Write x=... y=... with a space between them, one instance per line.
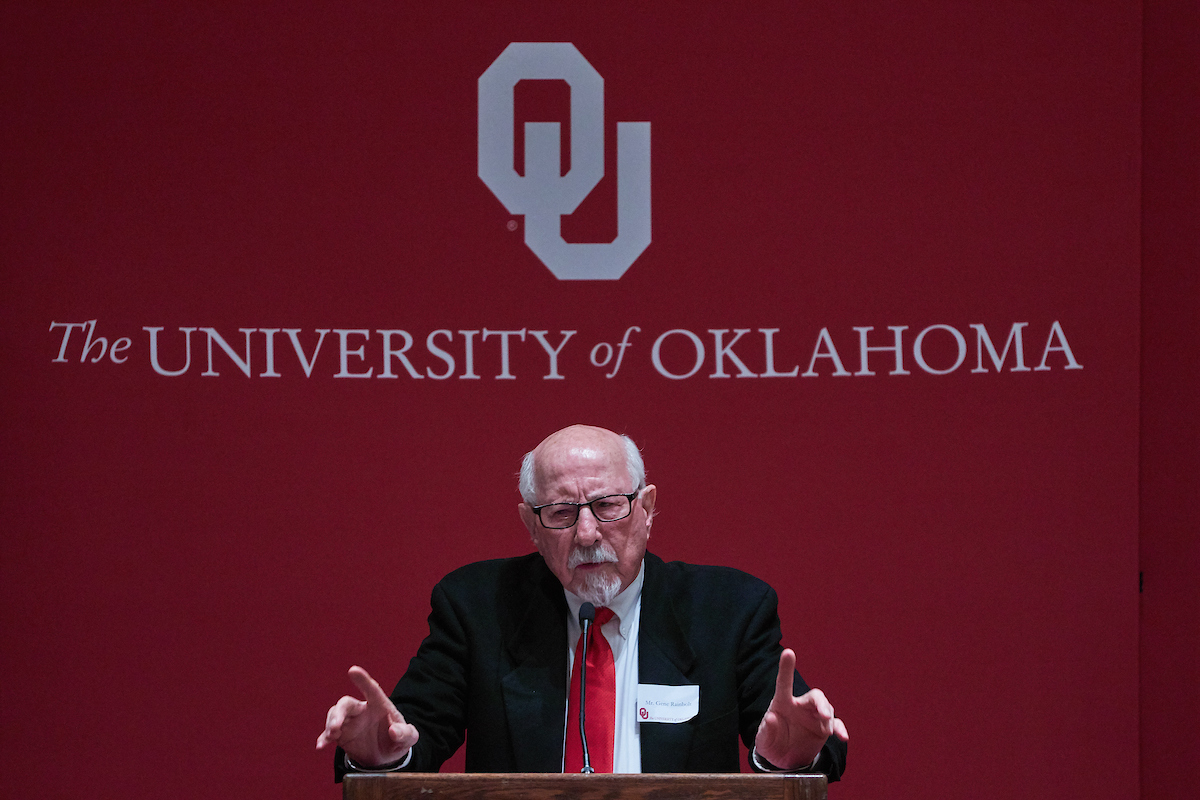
x=191 y=562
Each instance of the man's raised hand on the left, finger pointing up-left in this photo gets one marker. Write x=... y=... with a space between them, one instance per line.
x=373 y=732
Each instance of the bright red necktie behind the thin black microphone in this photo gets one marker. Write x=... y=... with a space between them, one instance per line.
x=602 y=719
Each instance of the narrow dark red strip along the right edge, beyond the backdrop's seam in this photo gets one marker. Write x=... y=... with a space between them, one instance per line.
x=1171 y=404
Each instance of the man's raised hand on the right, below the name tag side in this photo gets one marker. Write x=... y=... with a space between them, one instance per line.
x=795 y=729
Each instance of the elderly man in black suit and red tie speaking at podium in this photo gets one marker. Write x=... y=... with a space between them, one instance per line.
x=682 y=660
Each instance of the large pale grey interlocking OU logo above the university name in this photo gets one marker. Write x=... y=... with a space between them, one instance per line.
x=542 y=195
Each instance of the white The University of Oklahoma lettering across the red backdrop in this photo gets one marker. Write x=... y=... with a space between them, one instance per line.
x=670 y=358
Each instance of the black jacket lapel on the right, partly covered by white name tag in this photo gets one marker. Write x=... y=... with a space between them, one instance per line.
x=664 y=657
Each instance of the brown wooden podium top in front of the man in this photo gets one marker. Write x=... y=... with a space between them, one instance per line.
x=541 y=786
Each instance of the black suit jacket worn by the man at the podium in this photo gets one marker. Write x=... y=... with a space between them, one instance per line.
x=494 y=667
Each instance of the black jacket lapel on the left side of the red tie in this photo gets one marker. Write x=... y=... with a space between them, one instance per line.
x=536 y=687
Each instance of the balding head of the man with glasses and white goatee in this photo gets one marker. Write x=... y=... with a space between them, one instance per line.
x=592 y=558
